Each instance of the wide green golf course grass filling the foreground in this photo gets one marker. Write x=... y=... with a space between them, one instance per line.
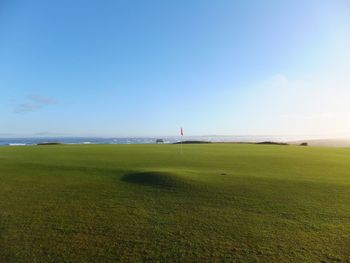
x=217 y=202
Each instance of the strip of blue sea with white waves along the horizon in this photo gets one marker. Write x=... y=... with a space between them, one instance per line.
x=142 y=140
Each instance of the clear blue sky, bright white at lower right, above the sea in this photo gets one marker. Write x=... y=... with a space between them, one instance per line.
x=147 y=68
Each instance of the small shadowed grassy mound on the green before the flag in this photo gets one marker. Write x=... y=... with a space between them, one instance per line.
x=155 y=178
